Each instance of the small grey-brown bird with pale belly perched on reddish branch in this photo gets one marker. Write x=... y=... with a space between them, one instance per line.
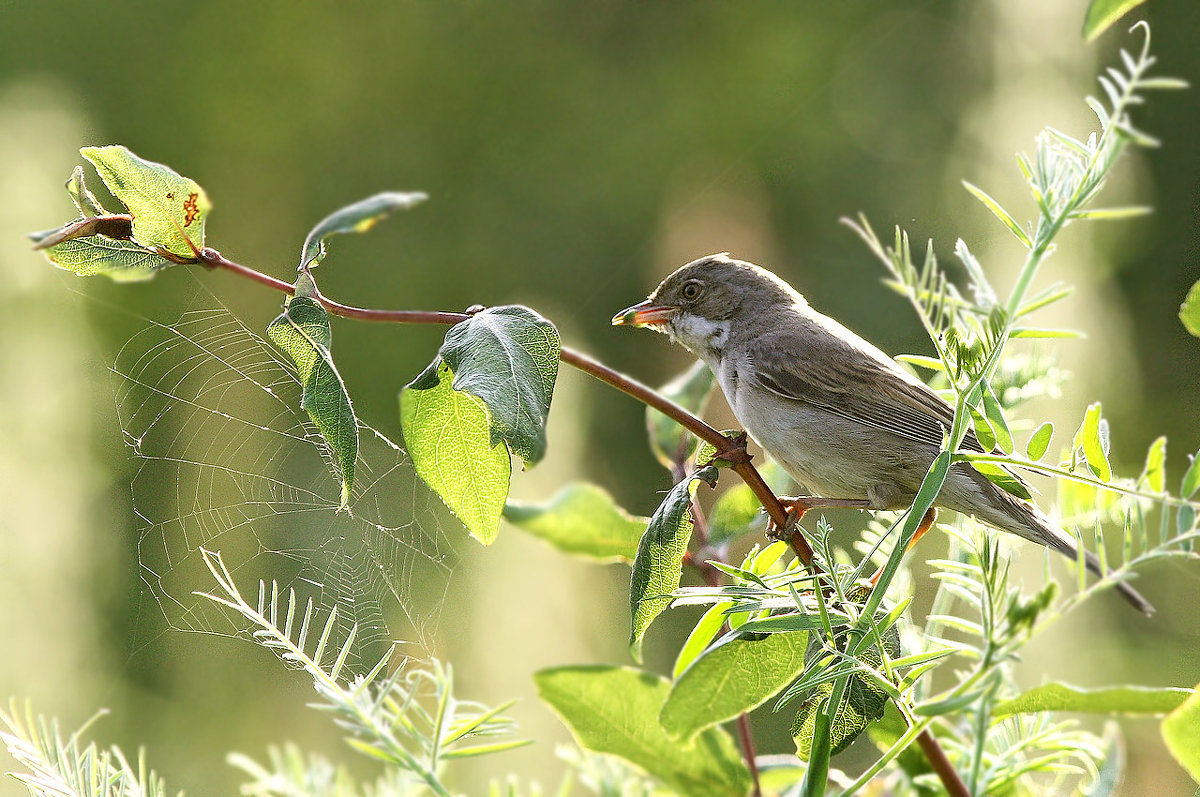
x=838 y=415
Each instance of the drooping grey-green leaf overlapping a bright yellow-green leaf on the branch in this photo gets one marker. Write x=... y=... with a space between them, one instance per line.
x=508 y=358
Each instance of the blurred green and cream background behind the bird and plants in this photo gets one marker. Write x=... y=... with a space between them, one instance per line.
x=575 y=154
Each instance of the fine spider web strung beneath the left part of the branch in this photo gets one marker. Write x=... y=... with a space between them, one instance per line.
x=227 y=462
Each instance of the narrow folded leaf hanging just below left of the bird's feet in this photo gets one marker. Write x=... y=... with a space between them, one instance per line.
x=659 y=560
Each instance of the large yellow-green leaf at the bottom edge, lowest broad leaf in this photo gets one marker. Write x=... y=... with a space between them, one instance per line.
x=616 y=711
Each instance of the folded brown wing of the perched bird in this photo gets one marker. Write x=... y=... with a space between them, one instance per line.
x=853 y=380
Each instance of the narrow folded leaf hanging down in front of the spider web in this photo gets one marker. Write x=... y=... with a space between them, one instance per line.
x=303 y=333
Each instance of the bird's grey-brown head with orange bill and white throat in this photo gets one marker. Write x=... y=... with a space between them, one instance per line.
x=700 y=303
